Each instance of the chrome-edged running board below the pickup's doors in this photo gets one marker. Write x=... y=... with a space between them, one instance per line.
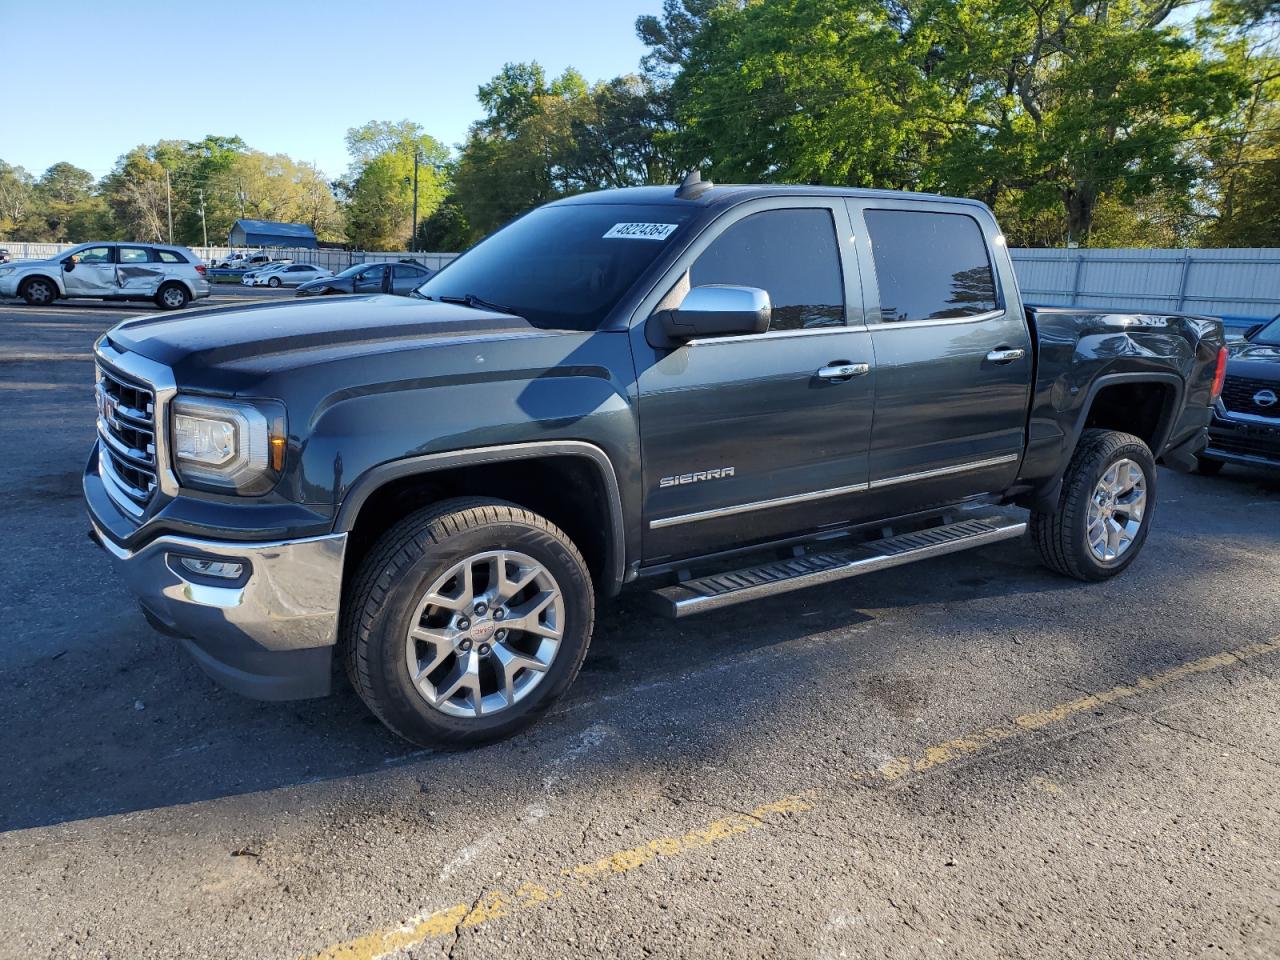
x=711 y=593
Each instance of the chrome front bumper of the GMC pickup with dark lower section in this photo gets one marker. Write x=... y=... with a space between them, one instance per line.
x=268 y=634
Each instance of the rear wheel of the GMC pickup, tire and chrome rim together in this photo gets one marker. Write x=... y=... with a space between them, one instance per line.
x=1104 y=511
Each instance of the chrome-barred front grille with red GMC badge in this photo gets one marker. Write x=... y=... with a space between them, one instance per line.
x=126 y=426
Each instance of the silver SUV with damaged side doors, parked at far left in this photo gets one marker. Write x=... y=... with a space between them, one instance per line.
x=171 y=277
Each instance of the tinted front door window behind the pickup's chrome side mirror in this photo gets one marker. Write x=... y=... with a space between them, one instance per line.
x=793 y=255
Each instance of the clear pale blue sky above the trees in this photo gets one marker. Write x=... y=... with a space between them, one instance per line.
x=291 y=79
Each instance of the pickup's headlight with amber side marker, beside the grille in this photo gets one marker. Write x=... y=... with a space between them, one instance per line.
x=228 y=446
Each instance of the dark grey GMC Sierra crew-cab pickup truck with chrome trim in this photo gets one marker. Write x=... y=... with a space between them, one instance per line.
x=721 y=392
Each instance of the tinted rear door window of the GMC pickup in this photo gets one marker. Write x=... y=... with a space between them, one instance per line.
x=930 y=267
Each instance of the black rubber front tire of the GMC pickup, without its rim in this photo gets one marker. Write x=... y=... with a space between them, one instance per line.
x=394 y=579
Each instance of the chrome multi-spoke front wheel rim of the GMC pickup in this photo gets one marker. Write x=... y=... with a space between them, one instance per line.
x=486 y=634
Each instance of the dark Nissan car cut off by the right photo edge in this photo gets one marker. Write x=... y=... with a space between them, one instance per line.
x=1246 y=427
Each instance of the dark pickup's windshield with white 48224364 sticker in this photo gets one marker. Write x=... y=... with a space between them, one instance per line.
x=563 y=267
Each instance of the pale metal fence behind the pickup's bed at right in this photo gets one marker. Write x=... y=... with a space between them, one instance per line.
x=1245 y=281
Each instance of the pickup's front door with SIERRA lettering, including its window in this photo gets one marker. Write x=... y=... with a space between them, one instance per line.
x=751 y=438
